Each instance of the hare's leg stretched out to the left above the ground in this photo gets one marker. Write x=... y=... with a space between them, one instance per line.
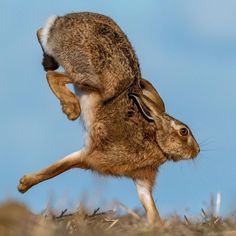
x=76 y=159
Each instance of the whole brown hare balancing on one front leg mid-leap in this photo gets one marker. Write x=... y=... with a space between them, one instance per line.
x=128 y=132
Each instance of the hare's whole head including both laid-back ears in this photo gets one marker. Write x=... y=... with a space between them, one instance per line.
x=174 y=138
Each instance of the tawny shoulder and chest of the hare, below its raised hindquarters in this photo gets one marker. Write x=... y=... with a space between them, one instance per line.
x=124 y=142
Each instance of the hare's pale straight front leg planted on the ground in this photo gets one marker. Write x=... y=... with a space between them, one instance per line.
x=144 y=189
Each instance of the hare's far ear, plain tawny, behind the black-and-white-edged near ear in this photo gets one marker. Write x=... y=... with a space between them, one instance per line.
x=150 y=92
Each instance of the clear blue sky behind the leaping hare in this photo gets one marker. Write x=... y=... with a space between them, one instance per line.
x=187 y=49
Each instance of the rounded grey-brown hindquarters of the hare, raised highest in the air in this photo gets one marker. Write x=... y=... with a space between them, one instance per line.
x=88 y=43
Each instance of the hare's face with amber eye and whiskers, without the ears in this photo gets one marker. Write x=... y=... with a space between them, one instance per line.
x=175 y=139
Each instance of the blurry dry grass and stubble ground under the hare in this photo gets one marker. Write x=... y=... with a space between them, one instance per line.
x=16 y=219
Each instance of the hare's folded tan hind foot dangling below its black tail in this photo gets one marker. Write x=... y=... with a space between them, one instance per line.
x=69 y=101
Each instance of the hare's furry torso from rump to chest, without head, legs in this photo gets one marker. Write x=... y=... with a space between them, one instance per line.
x=98 y=57
